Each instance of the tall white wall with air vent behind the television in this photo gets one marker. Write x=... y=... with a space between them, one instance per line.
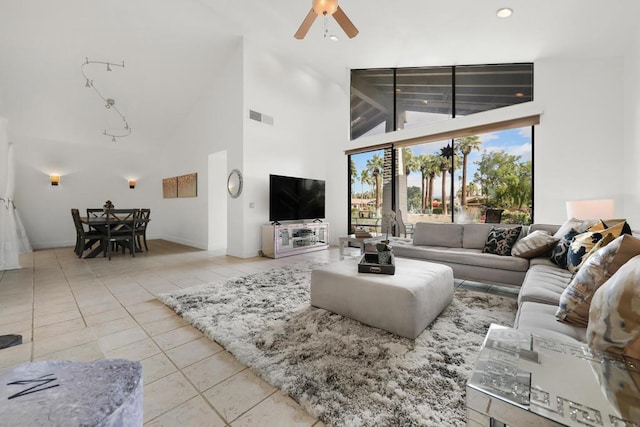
x=311 y=117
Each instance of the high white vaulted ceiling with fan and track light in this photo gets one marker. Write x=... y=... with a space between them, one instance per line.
x=173 y=48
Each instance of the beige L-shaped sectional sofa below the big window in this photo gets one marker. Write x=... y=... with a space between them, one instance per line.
x=541 y=282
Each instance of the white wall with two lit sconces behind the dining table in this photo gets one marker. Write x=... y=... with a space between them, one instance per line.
x=91 y=173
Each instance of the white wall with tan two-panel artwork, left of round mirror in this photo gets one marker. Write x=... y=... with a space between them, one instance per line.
x=213 y=124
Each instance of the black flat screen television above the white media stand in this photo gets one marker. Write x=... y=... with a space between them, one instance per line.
x=293 y=198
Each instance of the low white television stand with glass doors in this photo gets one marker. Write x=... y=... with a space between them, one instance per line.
x=280 y=240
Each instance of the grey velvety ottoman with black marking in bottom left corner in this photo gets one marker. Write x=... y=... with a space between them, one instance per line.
x=105 y=393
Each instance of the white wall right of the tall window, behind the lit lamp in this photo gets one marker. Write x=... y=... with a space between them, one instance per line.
x=580 y=141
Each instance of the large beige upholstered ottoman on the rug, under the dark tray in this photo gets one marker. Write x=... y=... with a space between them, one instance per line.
x=404 y=303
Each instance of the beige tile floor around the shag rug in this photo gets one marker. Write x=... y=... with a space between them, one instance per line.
x=84 y=310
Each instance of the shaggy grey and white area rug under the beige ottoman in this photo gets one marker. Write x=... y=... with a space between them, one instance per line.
x=338 y=369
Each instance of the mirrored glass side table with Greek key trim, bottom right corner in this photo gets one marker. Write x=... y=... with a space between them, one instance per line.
x=528 y=380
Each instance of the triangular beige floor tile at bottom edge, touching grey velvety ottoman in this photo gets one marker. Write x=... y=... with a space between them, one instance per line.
x=194 y=413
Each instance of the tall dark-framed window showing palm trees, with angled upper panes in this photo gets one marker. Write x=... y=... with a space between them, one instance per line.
x=467 y=178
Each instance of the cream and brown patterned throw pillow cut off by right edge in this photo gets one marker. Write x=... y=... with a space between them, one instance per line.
x=614 y=319
